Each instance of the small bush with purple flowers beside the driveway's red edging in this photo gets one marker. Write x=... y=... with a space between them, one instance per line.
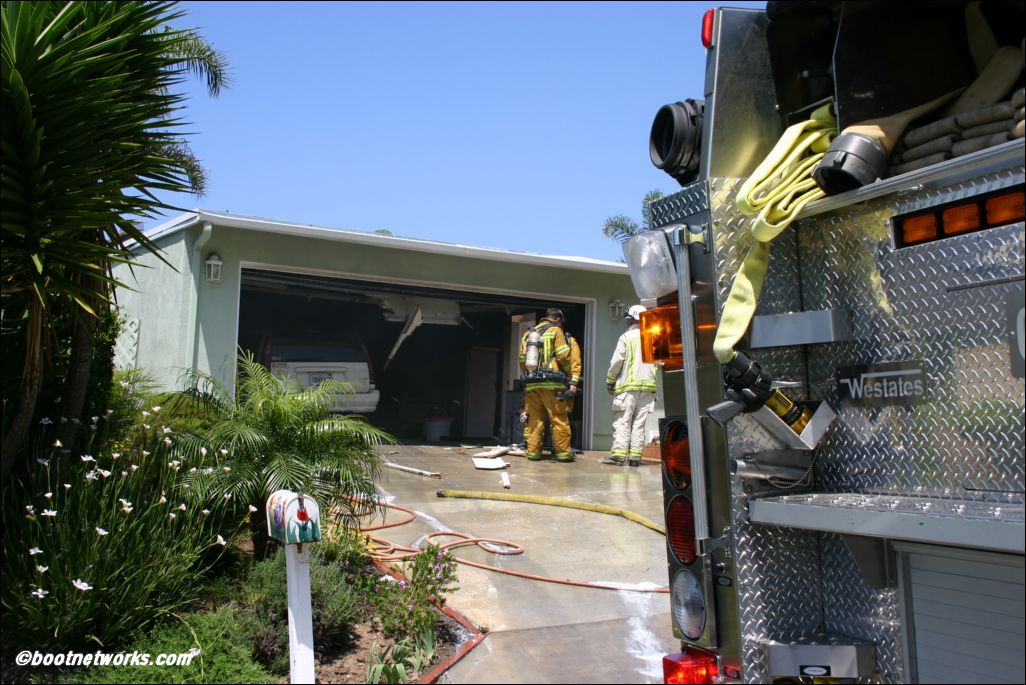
x=407 y=607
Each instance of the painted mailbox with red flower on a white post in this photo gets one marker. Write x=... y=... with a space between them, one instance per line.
x=294 y=519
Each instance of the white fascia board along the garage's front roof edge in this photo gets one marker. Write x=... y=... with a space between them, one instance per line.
x=392 y=243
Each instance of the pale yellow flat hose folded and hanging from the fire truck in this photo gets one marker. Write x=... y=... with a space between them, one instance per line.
x=775 y=194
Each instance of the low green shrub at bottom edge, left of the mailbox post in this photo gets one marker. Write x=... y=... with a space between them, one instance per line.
x=224 y=656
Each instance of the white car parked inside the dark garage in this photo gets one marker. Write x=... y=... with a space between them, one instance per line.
x=311 y=360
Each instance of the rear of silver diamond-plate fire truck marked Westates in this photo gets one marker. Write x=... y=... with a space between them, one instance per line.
x=836 y=297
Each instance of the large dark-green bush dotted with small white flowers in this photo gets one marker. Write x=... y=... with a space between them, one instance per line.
x=100 y=546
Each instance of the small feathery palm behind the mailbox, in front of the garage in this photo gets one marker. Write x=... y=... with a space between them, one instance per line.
x=275 y=435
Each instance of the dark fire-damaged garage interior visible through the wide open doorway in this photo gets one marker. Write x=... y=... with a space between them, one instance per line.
x=442 y=365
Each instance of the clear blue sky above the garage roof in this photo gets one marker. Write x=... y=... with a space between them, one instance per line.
x=509 y=126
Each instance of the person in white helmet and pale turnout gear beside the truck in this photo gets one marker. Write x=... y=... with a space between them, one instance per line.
x=633 y=383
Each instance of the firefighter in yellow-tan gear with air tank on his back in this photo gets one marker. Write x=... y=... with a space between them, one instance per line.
x=545 y=361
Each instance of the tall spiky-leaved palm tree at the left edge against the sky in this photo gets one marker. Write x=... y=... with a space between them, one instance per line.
x=92 y=130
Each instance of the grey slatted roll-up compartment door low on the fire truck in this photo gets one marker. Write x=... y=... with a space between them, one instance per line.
x=963 y=615
